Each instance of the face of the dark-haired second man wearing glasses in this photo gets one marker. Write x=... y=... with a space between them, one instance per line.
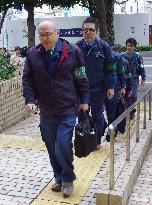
x=89 y=32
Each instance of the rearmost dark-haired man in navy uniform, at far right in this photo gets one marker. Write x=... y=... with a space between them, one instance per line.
x=136 y=66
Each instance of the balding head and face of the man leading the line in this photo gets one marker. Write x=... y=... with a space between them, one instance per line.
x=48 y=36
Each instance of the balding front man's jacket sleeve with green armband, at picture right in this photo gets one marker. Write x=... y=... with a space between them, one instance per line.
x=81 y=80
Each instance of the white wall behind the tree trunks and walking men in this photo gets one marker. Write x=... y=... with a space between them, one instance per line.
x=17 y=29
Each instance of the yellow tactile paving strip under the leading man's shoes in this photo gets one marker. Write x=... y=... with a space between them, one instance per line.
x=86 y=169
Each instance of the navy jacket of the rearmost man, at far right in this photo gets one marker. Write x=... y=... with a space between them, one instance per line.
x=135 y=63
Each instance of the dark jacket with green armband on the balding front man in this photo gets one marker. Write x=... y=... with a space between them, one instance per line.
x=57 y=92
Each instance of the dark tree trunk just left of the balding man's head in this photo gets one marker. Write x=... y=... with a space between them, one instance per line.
x=30 y=24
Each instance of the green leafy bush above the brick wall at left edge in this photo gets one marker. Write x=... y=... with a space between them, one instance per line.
x=7 y=70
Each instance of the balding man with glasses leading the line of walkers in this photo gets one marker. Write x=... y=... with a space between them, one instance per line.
x=54 y=77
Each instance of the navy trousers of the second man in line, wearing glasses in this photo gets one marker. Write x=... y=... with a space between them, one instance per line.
x=97 y=105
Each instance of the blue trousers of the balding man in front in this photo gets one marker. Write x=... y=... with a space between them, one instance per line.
x=57 y=134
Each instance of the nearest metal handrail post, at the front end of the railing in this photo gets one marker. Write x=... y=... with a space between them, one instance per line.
x=111 y=174
